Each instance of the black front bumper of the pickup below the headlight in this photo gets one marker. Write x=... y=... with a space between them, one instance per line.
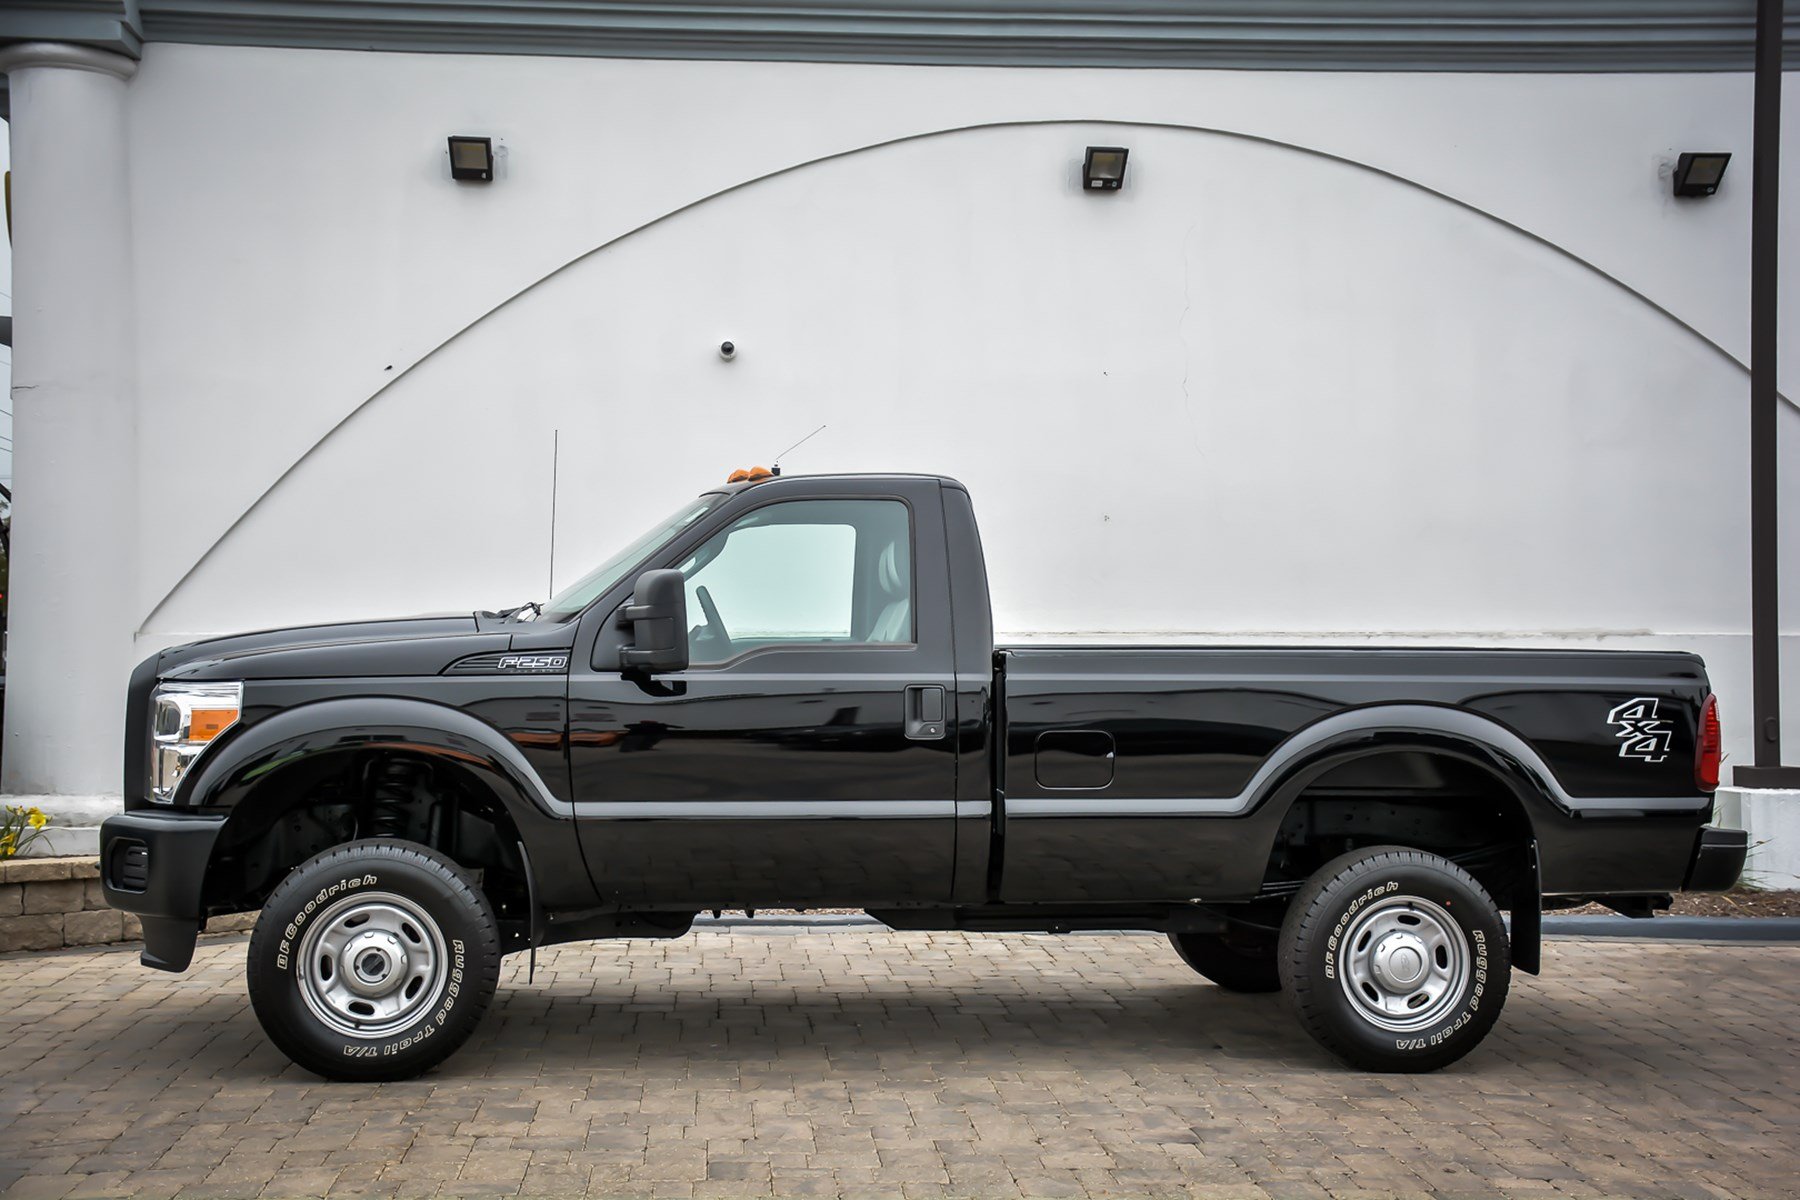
x=156 y=864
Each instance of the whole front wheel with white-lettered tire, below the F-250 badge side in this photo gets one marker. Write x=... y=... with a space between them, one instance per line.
x=400 y=962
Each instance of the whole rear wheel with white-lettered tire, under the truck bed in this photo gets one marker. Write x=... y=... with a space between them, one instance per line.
x=1396 y=960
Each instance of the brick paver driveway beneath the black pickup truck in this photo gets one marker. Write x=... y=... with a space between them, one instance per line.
x=741 y=1064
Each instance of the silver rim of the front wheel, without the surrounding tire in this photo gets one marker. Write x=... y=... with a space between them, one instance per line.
x=372 y=965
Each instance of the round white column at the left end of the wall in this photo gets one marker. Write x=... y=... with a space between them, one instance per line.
x=75 y=418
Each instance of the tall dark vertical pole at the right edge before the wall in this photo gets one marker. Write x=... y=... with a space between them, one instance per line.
x=1765 y=544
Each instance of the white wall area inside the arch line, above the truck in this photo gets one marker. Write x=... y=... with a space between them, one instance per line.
x=1281 y=390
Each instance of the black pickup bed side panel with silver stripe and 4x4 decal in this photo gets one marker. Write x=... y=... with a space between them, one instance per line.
x=1138 y=775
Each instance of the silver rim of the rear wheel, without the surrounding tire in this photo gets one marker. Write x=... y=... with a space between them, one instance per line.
x=1405 y=963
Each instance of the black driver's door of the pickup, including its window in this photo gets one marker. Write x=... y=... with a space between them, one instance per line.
x=804 y=755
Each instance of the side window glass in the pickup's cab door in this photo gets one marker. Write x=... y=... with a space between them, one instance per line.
x=804 y=573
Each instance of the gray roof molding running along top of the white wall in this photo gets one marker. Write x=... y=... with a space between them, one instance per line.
x=1264 y=35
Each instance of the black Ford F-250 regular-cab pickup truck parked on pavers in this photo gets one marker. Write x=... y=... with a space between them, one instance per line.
x=789 y=695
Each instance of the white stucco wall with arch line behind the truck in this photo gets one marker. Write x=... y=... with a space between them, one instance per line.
x=1353 y=355
